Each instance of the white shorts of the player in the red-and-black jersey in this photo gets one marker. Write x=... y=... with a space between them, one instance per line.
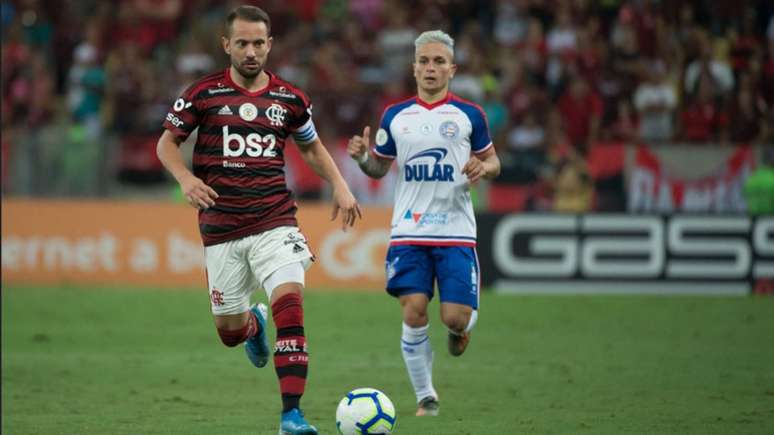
x=237 y=267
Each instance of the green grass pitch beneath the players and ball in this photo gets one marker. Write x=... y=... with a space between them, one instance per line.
x=99 y=361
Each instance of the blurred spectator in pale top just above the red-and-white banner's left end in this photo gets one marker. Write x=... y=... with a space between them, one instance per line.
x=656 y=102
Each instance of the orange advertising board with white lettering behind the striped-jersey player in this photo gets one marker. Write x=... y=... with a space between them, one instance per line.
x=155 y=244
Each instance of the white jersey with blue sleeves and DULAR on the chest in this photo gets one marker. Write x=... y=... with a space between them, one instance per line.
x=432 y=143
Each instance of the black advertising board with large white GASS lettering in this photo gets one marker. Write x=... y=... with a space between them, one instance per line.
x=606 y=253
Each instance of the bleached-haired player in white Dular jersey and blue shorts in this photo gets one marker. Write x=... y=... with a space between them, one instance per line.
x=442 y=146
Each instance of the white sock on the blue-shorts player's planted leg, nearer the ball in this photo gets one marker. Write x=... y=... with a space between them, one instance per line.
x=418 y=355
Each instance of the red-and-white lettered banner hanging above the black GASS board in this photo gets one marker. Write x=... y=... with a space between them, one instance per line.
x=652 y=190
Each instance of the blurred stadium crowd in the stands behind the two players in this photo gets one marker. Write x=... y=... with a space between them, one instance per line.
x=565 y=84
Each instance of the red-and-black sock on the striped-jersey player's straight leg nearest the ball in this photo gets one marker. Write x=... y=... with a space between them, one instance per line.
x=290 y=356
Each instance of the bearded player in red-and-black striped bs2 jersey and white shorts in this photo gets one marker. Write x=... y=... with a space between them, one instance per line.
x=245 y=115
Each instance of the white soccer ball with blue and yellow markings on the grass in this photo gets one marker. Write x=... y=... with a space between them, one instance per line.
x=365 y=411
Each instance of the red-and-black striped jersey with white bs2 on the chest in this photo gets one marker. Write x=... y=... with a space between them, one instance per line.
x=240 y=149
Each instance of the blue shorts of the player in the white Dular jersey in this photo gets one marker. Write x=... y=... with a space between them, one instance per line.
x=416 y=269
